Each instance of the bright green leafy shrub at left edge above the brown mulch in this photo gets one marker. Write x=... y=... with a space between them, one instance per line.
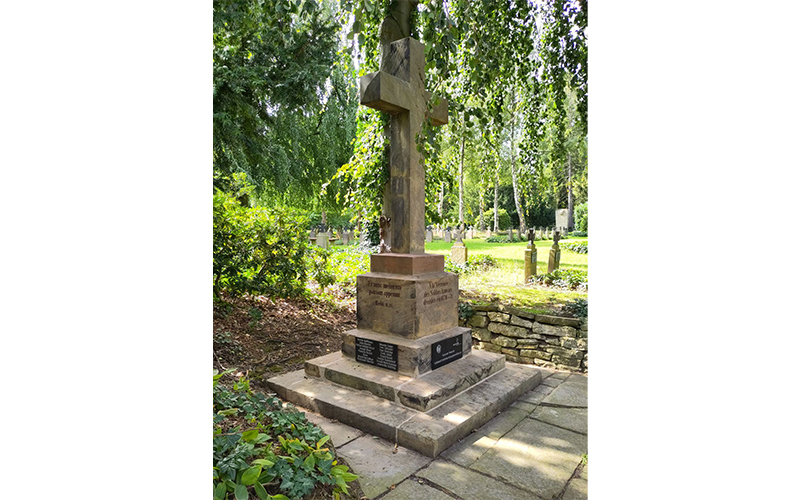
x=257 y=251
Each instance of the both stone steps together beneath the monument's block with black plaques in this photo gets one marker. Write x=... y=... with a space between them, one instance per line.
x=430 y=432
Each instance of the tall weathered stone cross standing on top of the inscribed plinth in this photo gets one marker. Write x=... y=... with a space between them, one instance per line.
x=399 y=89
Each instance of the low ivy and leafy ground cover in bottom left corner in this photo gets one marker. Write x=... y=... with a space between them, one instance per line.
x=247 y=459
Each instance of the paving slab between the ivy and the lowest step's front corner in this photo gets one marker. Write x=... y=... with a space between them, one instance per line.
x=378 y=468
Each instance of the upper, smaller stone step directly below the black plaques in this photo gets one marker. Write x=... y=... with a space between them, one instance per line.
x=421 y=393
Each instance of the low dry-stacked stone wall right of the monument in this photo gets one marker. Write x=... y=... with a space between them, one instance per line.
x=535 y=339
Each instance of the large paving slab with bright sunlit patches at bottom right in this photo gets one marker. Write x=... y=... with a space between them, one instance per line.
x=535 y=456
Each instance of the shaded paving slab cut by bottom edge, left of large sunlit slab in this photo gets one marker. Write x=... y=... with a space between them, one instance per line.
x=471 y=485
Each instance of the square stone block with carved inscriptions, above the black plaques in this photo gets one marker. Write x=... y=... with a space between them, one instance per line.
x=410 y=306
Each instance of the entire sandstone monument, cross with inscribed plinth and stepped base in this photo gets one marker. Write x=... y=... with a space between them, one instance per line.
x=407 y=372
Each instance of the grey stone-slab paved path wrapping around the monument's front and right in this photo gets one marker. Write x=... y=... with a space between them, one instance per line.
x=532 y=450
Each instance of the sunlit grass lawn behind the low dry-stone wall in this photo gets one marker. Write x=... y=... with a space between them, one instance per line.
x=505 y=282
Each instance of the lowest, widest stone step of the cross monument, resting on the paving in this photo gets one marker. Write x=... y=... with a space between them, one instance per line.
x=430 y=432
